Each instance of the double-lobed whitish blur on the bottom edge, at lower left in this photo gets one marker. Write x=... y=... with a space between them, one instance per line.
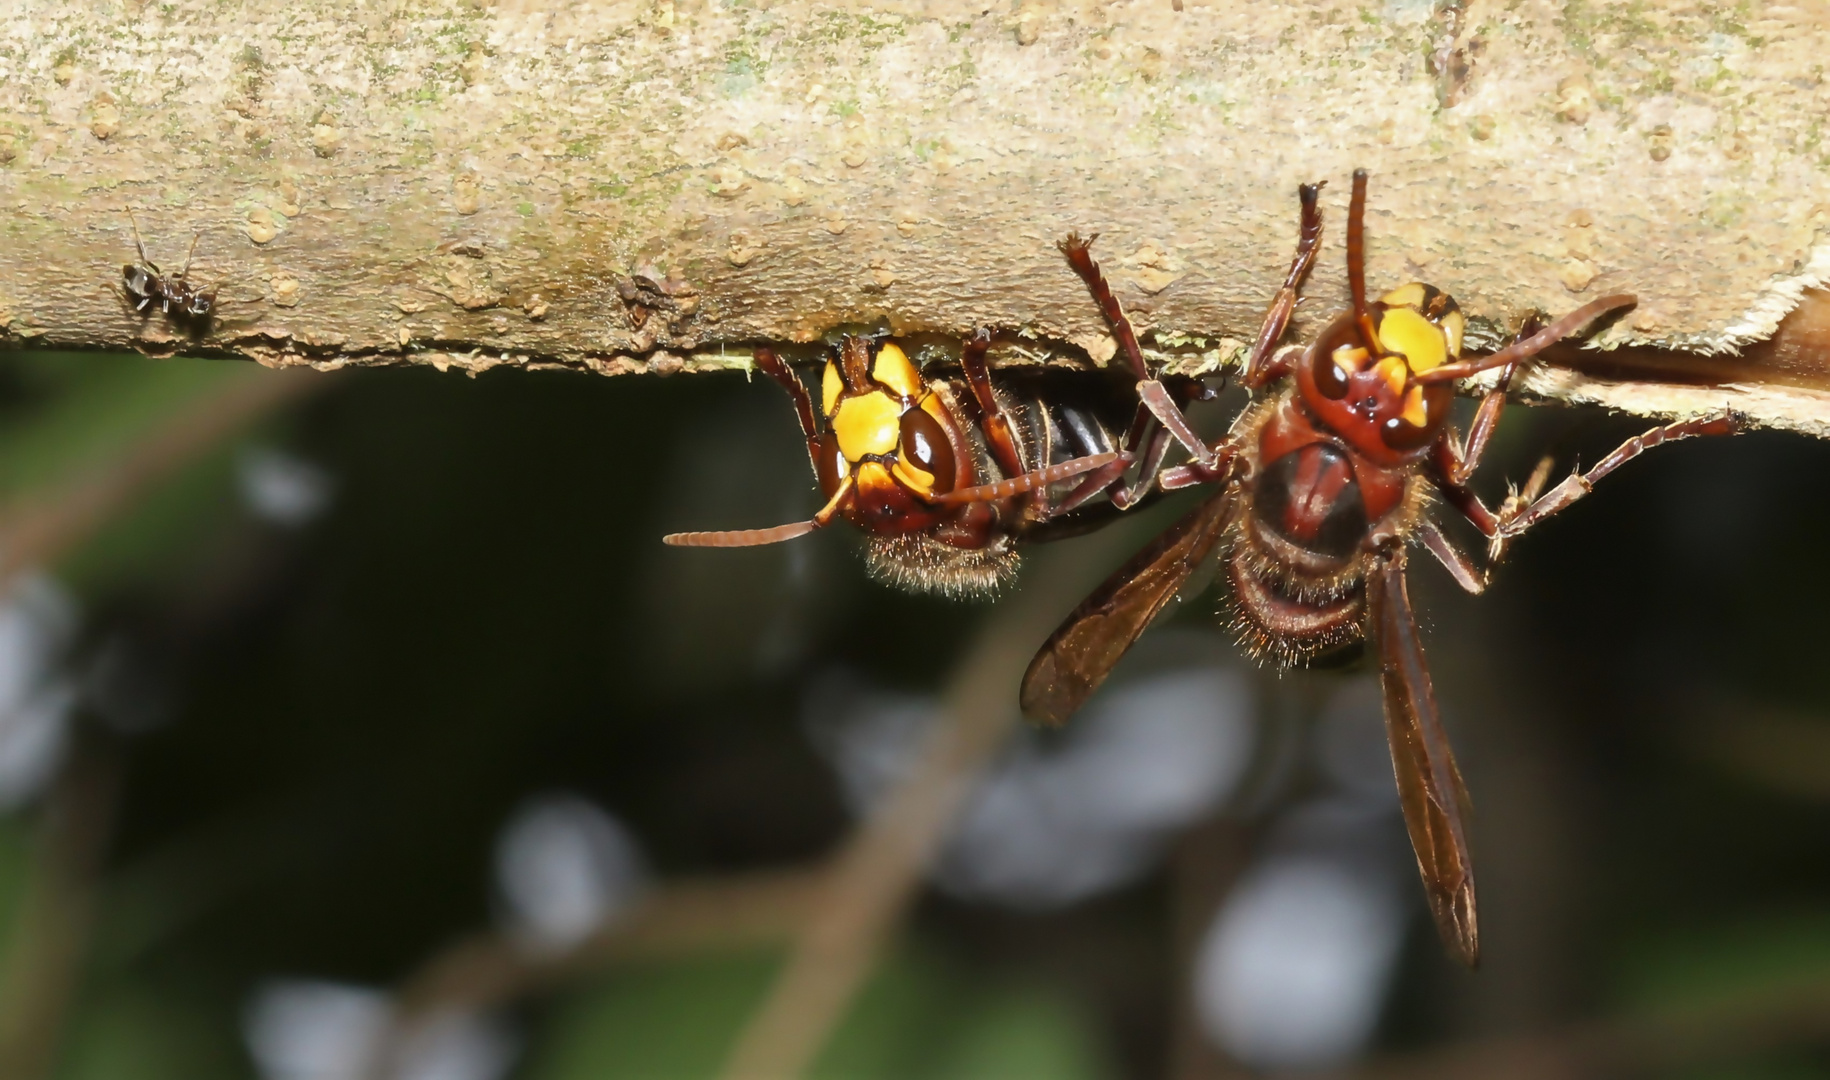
x=308 y=1030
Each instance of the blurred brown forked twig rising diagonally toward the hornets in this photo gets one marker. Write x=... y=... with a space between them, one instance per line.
x=839 y=913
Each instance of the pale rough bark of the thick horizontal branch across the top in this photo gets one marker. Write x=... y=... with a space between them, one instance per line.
x=656 y=184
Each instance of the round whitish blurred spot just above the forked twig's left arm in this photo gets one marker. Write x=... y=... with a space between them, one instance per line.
x=565 y=869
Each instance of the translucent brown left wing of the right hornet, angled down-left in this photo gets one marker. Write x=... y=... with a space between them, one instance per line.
x=1082 y=651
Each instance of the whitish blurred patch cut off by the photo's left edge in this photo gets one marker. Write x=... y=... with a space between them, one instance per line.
x=38 y=623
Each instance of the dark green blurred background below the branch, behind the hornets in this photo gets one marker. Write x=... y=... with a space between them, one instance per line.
x=389 y=704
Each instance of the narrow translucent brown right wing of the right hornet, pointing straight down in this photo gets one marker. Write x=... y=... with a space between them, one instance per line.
x=1430 y=786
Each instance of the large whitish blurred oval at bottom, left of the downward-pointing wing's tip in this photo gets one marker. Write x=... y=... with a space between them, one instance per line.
x=1295 y=967
